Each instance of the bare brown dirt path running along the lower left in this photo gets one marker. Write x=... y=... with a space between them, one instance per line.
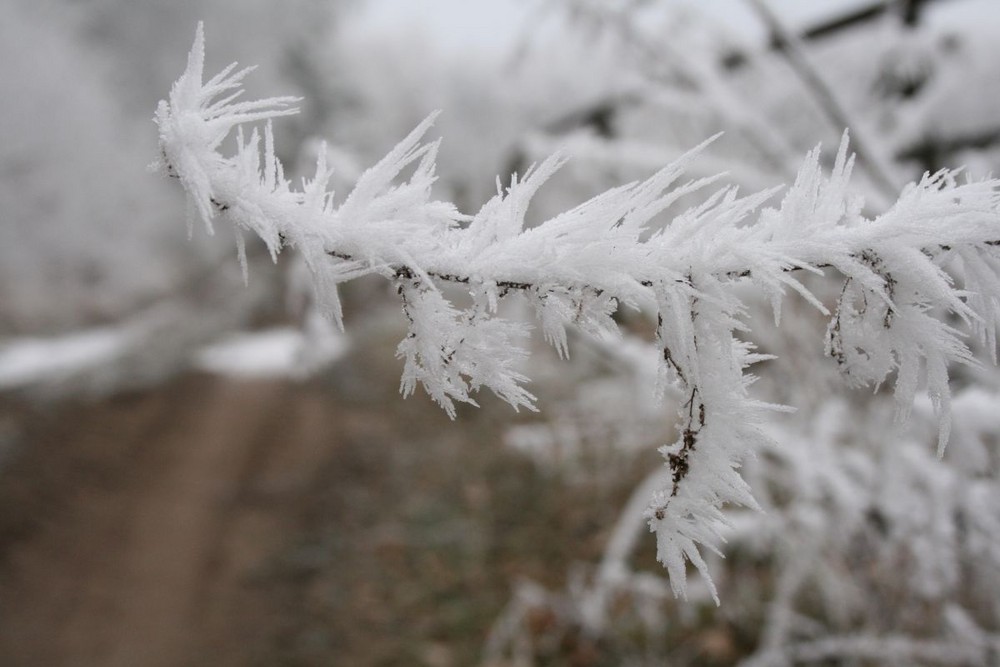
x=142 y=525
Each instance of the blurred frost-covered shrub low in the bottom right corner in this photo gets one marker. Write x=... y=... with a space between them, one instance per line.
x=870 y=550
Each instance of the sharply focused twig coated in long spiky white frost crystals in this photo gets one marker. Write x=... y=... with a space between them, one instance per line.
x=578 y=267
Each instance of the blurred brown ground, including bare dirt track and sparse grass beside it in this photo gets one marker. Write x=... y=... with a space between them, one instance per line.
x=219 y=523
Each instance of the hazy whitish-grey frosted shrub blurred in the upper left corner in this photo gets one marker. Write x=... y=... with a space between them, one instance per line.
x=57 y=270
